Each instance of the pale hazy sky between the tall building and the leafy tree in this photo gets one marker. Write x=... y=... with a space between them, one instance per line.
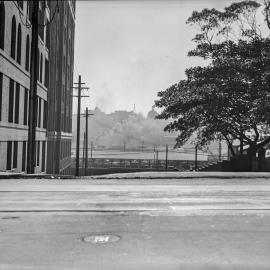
x=127 y=51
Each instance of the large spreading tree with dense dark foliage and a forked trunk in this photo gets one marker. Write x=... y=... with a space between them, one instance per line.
x=230 y=95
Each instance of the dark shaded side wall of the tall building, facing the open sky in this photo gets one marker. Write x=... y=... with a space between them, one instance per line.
x=61 y=82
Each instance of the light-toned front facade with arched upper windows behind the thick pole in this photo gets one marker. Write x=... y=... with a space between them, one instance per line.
x=15 y=84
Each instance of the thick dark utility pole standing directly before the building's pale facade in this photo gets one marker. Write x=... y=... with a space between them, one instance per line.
x=31 y=149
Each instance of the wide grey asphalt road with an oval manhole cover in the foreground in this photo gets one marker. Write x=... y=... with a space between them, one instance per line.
x=135 y=224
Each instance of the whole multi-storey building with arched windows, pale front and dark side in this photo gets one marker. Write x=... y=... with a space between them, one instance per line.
x=55 y=45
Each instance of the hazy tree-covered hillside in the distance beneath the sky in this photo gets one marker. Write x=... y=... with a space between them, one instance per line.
x=123 y=129
